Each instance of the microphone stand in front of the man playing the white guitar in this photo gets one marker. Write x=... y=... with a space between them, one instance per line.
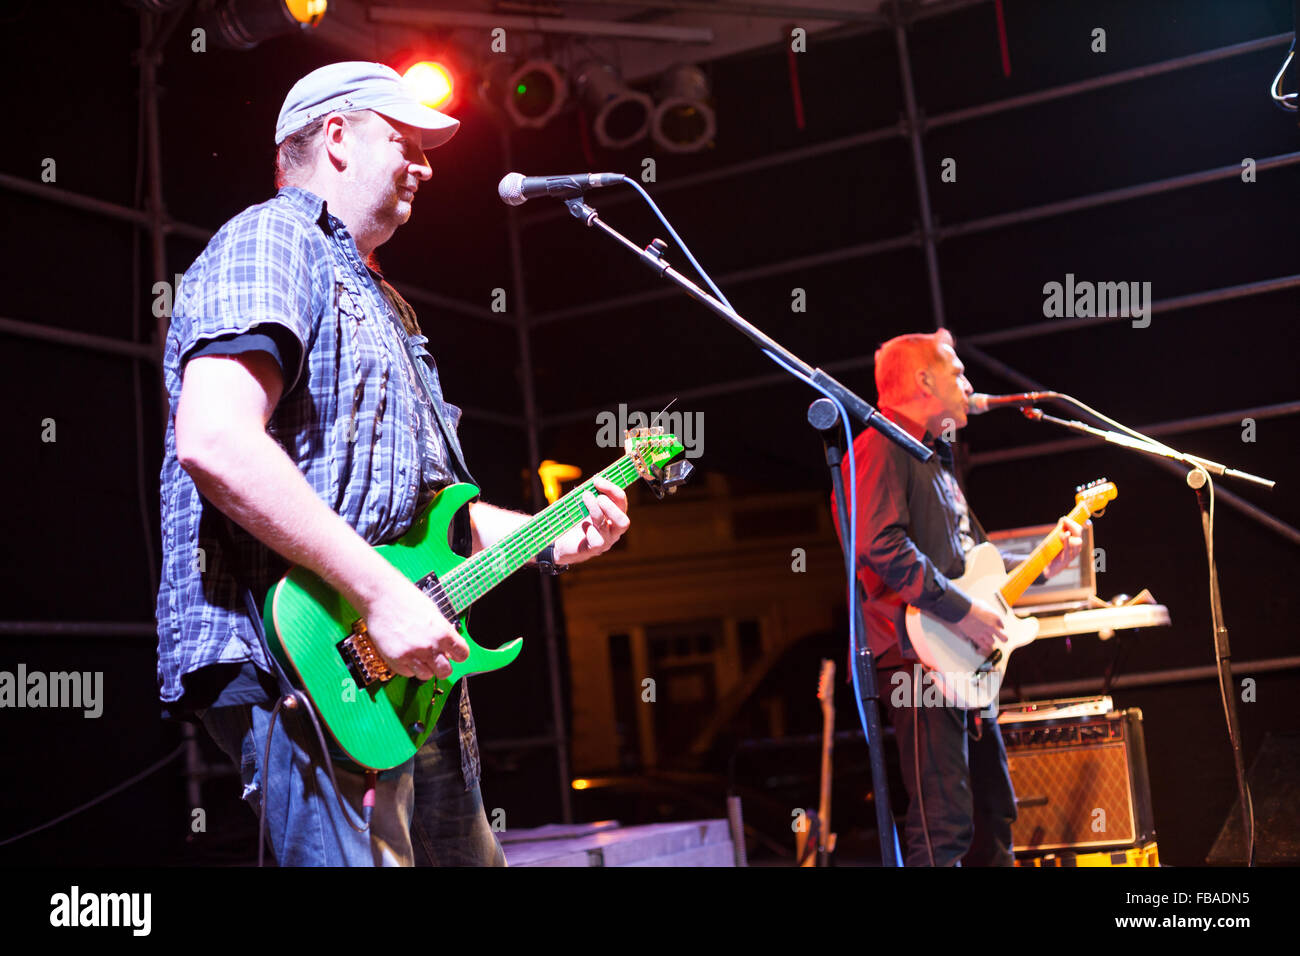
x=1199 y=481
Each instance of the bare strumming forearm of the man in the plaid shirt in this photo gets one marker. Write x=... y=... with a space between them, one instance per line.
x=252 y=479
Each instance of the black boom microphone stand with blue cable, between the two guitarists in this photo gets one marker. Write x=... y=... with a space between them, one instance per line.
x=860 y=409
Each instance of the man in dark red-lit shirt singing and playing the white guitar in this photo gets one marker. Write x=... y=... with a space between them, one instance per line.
x=915 y=530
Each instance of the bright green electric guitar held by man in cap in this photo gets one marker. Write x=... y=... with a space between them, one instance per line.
x=378 y=717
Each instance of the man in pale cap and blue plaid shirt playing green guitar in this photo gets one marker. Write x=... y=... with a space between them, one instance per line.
x=306 y=410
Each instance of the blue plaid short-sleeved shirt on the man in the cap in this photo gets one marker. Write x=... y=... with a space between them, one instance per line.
x=353 y=417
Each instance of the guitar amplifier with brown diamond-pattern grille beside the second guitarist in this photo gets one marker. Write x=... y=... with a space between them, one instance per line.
x=1080 y=771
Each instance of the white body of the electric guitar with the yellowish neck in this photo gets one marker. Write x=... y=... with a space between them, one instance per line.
x=954 y=664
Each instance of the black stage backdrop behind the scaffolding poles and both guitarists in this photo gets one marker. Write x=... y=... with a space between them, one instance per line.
x=77 y=548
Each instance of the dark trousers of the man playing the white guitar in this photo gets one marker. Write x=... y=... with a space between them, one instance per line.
x=967 y=785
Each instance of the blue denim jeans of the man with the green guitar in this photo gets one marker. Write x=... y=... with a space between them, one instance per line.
x=423 y=812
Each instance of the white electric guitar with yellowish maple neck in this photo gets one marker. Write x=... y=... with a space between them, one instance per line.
x=968 y=678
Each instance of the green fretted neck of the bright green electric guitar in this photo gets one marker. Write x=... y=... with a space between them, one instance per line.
x=489 y=568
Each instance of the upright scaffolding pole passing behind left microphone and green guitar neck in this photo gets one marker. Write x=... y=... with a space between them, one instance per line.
x=535 y=457
